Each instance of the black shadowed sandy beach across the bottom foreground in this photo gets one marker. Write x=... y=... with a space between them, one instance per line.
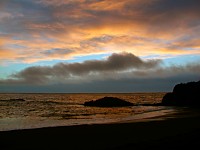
x=180 y=132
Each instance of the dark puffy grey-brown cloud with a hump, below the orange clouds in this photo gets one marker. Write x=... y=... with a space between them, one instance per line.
x=95 y=68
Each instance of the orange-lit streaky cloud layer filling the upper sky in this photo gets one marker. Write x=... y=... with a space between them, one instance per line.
x=92 y=27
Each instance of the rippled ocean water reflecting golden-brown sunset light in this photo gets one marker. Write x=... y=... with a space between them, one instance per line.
x=47 y=110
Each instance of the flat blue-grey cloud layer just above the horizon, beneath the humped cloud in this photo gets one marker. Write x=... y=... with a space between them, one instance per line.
x=153 y=80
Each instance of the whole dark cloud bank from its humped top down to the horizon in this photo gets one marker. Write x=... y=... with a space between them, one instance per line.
x=122 y=72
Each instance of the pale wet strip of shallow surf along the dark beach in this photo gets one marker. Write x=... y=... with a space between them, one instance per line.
x=10 y=124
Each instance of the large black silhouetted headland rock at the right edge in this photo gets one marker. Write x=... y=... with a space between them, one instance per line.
x=184 y=94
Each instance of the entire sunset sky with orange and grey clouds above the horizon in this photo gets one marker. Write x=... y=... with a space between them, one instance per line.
x=73 y=46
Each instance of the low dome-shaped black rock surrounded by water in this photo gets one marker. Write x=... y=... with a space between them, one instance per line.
x=108 y=102
